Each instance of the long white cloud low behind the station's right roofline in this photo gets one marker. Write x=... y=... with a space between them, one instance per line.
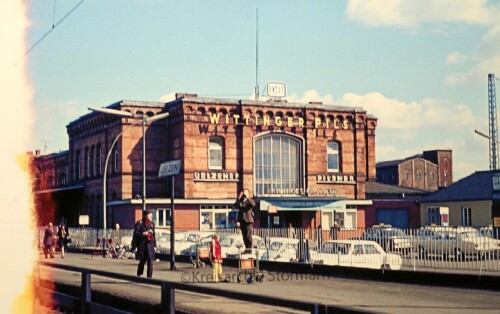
x=408 y=128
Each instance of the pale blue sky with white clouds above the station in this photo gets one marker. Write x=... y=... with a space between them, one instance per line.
x=420 y=66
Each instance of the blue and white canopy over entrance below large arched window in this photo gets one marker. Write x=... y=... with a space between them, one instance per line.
x=302 y=204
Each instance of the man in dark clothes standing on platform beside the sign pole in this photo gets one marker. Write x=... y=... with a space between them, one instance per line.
x=146 y=245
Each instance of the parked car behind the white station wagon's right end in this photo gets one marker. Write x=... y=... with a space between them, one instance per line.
x=390 y=239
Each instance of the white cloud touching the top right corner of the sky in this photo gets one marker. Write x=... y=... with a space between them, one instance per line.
x=408 y=13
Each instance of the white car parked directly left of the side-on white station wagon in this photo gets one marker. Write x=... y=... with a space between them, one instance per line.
x=281 y=249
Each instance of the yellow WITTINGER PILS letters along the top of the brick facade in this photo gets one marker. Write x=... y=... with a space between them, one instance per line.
x=277 y=121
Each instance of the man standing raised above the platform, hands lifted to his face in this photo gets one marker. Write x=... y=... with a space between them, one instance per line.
x=245 y=206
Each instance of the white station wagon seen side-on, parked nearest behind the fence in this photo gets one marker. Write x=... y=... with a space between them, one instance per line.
x=355 y=253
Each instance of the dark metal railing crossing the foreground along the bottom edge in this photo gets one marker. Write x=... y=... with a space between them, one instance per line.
x=168 y=290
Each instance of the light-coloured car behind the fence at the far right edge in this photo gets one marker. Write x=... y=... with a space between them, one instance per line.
x=457 y=243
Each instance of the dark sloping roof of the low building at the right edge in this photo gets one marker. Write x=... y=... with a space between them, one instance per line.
x=477 y=186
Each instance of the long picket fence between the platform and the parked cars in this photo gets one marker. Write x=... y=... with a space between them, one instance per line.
x=461 y=248
